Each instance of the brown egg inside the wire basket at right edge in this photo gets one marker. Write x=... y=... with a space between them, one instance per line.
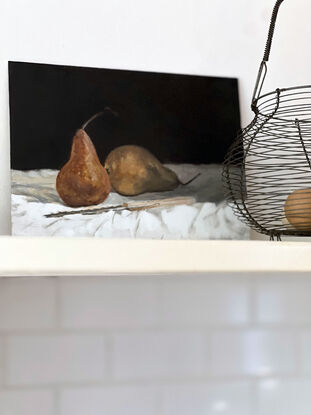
x=298 y=209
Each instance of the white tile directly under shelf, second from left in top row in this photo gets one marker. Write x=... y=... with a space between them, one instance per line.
x=108 y=304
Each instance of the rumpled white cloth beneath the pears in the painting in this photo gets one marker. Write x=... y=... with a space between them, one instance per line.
x=34 y=196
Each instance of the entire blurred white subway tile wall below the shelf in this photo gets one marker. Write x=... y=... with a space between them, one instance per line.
x=156 y=345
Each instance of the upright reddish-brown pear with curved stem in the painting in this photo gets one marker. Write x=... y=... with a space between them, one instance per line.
x=83 y=181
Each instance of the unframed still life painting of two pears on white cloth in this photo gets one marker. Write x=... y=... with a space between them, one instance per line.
x=120 y=154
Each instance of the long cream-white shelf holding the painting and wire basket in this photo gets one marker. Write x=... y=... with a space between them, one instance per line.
x=21 y=256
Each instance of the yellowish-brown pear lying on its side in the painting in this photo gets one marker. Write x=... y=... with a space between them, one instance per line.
x=134 y=170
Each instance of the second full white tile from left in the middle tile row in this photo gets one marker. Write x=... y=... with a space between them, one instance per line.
x=159 y=354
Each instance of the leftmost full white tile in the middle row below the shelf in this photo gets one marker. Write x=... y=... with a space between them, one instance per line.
x=48 y=358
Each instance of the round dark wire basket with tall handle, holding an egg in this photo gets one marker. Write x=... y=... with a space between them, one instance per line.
x=267 y=171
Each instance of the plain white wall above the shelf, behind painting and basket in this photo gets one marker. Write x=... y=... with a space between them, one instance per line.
x=207 y=37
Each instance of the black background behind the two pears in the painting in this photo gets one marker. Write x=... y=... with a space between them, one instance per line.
x=179 y=118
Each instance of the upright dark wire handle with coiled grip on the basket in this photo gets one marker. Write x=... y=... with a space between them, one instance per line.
x=263 y=66
